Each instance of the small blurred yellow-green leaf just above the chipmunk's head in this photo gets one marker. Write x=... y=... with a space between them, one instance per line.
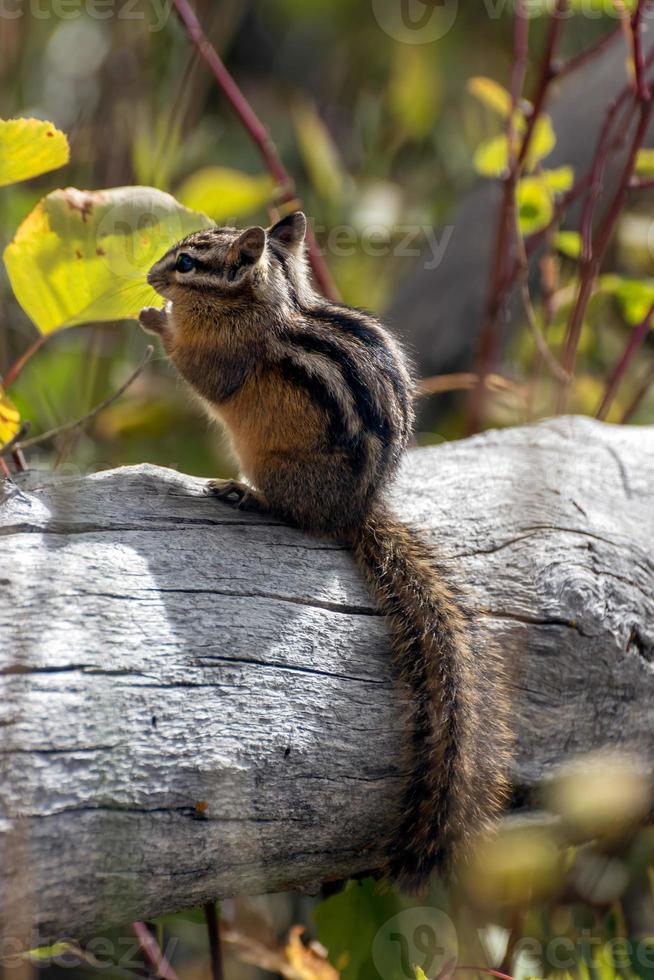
x=224 y=194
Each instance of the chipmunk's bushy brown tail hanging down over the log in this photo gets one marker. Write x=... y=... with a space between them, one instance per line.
x=459 y=740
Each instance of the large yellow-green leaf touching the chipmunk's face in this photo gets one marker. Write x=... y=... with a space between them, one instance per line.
x=82 y=256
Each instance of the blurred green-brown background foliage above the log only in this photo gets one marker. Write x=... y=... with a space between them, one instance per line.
x=379 y=132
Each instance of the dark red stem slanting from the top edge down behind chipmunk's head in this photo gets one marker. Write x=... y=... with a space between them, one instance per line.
x=257 y=132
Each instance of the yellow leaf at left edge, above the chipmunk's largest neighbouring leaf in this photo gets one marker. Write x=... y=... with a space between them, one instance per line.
x=29 y=147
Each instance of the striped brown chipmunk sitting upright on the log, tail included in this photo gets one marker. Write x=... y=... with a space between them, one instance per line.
x=317 y=401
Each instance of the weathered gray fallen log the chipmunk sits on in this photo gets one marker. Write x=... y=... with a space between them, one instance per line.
x=196 y=702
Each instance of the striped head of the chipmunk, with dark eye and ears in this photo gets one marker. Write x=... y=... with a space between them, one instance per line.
x=255 y=263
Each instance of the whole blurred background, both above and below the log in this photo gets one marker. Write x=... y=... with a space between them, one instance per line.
x=379 y=131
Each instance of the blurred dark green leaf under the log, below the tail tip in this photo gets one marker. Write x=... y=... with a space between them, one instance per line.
x=348 y=923
